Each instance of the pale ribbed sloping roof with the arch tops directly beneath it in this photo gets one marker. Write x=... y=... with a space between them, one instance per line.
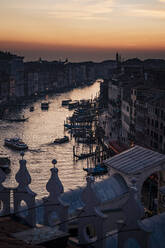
x=137 y=163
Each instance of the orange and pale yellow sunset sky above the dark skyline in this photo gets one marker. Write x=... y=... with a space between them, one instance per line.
x=83 y=29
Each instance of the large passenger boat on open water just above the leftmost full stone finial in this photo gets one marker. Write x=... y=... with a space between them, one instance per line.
x=15 y=143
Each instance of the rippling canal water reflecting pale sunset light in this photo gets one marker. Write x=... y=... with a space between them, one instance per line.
x=38 y=132
